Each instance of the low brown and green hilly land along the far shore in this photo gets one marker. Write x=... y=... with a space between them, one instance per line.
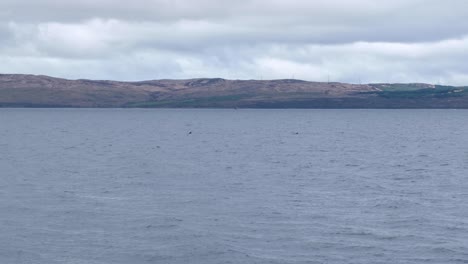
x=18 y=90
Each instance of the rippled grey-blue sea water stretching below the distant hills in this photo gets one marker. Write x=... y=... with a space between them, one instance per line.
x=97 y=186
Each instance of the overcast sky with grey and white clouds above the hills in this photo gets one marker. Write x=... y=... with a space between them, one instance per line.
x=355 y=41
